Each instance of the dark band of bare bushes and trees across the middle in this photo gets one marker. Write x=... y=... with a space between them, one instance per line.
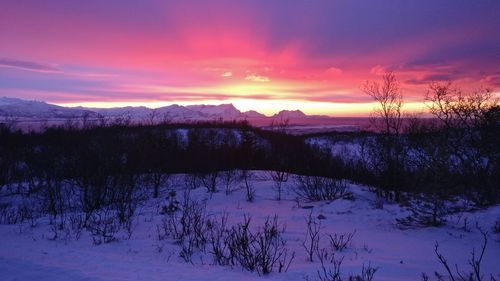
x=98 y=166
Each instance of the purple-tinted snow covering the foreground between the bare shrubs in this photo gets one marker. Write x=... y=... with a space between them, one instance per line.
x=28 y=253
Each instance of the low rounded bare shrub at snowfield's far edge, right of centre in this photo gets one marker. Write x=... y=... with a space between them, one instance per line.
x=314 y=188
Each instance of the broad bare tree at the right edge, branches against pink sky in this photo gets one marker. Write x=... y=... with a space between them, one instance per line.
x=468 y=130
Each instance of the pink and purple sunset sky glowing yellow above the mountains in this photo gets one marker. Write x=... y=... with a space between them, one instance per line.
x=265 y=55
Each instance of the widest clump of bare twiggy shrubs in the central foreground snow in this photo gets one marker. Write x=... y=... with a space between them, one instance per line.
x=263 y=250
